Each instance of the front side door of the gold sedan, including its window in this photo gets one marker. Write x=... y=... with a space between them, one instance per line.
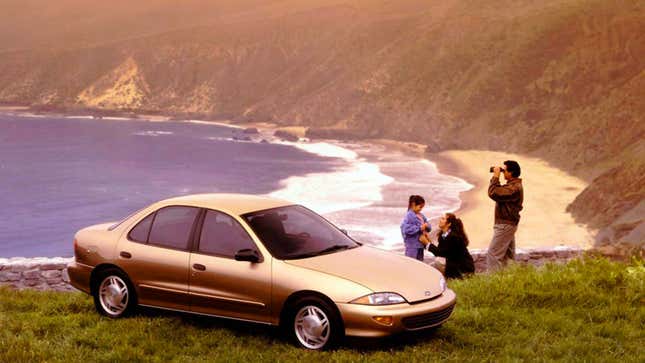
x=220 y=285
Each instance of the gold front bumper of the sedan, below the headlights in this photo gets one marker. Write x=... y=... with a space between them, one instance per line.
x=359 y=320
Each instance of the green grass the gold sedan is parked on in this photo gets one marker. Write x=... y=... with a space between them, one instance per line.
x=589 y=310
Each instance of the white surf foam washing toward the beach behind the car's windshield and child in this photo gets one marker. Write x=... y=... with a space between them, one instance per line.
x=352 y=196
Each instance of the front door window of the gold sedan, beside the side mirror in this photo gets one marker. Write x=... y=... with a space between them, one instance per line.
x=222 y=235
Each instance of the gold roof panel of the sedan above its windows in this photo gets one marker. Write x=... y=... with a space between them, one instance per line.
x=233 y=203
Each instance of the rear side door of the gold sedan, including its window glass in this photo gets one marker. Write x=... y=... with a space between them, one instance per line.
x=155 y=254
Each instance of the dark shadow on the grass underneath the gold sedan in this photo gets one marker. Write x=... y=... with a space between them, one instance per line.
x=275 y=335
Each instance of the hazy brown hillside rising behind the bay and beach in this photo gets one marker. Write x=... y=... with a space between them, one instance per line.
x=560 y=79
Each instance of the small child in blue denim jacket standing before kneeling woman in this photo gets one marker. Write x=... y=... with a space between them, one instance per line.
x=414 y=228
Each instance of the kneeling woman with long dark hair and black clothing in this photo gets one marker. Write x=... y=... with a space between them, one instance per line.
x=453 y=244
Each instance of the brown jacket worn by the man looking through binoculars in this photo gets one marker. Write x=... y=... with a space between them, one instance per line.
x=509 y=198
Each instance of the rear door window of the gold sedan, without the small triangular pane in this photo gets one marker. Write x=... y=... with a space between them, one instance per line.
x=172 y=226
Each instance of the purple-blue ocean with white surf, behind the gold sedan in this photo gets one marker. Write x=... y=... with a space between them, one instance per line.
x=60 y=174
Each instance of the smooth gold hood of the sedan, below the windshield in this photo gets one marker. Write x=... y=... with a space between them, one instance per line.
x=379 y=271
